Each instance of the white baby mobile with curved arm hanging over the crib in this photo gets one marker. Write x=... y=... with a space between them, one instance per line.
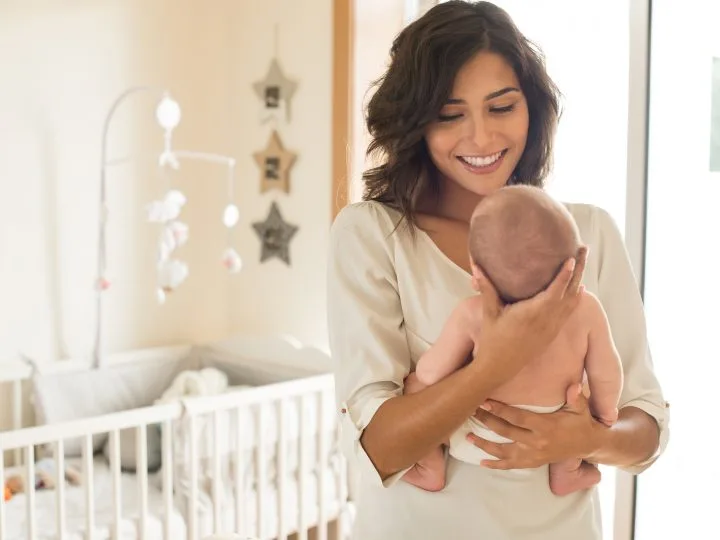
x=171 y=271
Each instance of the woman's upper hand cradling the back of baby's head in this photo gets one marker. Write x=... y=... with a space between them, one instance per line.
x=510 y=336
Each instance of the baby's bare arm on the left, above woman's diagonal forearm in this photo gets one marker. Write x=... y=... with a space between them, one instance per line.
x=452 y=348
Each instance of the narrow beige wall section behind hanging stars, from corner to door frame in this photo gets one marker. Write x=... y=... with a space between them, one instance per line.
x=271 y=297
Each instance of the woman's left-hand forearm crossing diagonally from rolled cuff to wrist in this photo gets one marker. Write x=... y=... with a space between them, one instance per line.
x=406 y=428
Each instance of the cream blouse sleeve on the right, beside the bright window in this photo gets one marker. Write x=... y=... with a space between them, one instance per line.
x=620 y=296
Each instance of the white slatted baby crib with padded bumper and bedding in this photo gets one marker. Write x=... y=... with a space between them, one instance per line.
x=261 y=460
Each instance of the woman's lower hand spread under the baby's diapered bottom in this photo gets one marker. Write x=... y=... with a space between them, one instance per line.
x=571 y=432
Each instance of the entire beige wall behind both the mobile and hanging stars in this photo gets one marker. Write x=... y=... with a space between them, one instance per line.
x=63 y=64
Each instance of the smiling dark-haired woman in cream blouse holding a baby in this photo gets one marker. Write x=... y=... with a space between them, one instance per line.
x=465 y=108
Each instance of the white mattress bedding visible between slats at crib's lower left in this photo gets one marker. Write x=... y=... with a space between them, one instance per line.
x=46 y=509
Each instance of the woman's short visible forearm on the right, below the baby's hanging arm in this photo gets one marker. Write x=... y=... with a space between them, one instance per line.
x=631 y=440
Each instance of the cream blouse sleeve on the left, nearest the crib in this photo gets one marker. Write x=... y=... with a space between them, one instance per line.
x=365 y=323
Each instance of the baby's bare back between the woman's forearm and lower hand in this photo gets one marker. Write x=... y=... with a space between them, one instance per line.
x=544 y=381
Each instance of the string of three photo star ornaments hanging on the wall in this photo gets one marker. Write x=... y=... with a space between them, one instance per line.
x=275 y=93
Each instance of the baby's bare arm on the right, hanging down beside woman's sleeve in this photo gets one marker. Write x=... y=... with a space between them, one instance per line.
x=602 y=365
